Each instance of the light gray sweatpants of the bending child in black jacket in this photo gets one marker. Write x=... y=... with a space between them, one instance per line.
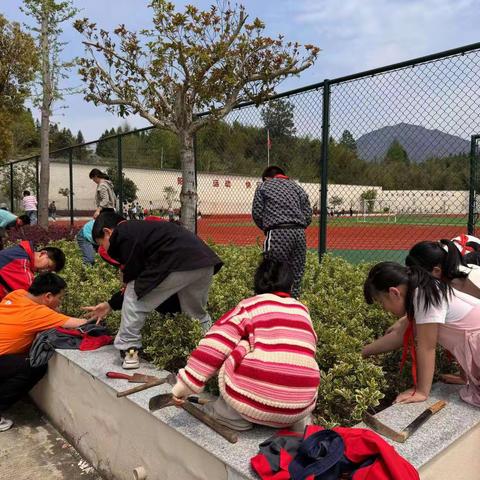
x=192 y=289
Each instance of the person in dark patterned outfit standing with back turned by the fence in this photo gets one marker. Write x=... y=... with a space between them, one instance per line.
x=282 y=210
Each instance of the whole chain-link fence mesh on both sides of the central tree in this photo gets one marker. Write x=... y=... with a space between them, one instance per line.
x=388 y=157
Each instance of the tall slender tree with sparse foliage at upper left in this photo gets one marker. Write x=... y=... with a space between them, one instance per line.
x=48 y=15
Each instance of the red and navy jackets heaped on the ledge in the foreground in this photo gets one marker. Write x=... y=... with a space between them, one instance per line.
x=320 y=454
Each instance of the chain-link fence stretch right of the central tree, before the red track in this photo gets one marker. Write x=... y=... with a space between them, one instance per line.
x=394 y=146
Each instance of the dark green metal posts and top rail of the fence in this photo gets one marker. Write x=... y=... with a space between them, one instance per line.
x=325 y=129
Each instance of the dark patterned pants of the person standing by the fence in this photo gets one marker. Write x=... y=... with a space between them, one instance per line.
x=288 y=245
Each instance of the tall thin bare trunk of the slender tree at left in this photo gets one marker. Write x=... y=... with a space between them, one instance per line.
x=45 y=125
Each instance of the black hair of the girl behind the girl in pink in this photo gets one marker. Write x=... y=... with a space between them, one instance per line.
x=443 y=254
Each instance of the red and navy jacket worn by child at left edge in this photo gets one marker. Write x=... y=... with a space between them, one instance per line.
x=16 y=267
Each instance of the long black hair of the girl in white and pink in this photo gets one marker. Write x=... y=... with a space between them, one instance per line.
x=385 y=275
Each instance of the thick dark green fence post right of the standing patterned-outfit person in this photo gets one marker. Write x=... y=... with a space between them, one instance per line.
x=322 y=231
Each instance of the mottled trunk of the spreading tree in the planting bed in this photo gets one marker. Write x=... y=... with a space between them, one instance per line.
x=188 y=196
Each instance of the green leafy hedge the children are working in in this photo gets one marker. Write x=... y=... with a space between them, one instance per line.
x=349 y=386
